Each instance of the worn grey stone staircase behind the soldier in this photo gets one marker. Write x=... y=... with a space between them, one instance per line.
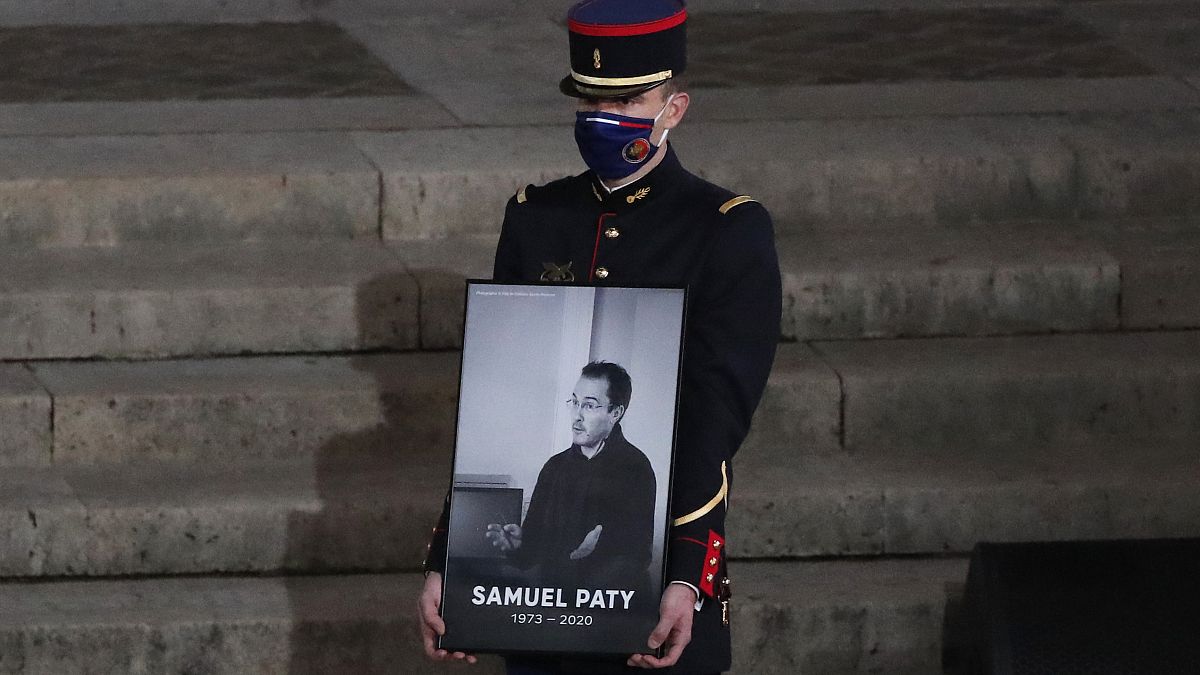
x=229 y=353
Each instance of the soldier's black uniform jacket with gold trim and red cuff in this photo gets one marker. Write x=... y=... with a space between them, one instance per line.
x=670 y=229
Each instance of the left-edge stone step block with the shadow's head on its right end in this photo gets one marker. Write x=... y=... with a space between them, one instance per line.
x=158 y=301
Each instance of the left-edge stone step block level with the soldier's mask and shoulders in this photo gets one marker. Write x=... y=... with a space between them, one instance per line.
x=243 y=188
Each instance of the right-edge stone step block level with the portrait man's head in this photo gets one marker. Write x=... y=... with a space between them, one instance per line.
x=980 y=395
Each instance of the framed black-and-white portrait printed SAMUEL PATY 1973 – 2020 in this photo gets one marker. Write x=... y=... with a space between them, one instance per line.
x=562 y=471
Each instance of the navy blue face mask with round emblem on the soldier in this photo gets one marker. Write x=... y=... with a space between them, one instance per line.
x=616 y=146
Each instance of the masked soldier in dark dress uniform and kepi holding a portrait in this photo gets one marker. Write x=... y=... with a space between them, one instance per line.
x=638 y=218
